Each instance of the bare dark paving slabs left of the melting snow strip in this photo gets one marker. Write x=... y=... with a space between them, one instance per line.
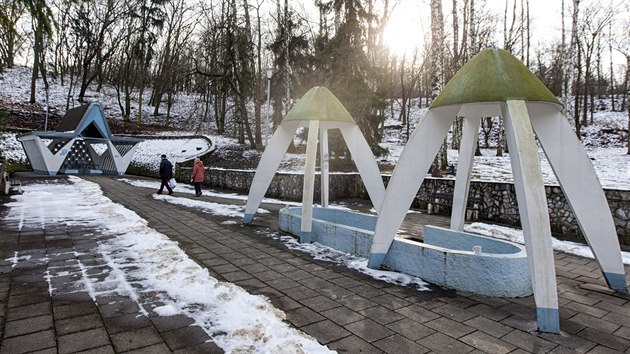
x=36 y=316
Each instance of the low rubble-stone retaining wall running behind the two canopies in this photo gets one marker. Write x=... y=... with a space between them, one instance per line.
x=493 y=201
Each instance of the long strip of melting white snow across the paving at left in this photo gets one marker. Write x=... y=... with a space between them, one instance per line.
x=236 y=320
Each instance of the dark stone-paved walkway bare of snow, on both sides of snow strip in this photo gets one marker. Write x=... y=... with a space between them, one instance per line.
x=345 y=310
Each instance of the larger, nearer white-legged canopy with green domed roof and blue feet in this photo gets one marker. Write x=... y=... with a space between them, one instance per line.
x=494 y=83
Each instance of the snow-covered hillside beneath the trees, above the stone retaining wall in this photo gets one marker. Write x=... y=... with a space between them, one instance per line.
x=604 y=140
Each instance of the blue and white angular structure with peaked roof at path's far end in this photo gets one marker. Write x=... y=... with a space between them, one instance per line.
x=73 y=143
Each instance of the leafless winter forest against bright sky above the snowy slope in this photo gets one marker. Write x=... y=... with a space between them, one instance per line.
x=227 y=53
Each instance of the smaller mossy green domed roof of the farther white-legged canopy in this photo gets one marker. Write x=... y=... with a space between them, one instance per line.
x=319 y=104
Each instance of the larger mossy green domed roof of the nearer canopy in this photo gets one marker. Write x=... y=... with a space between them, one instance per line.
x=493 y=75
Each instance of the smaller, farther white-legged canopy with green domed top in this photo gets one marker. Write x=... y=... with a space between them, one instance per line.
x=319 y=110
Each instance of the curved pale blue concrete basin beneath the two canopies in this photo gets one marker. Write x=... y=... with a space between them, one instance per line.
x=452 y=259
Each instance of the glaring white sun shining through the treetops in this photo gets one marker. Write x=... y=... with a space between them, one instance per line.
x=403 y=33
